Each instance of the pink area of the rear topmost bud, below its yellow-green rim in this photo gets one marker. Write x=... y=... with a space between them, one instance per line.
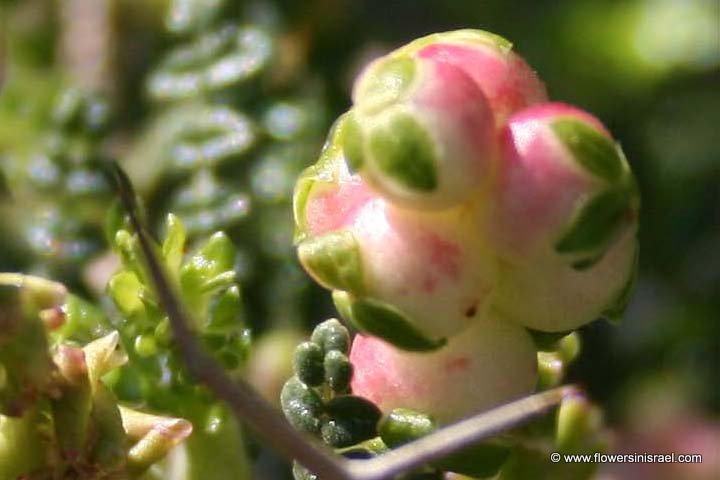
x=506 y=80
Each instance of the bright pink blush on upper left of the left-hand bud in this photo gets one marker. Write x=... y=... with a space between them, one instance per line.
x=337 y=207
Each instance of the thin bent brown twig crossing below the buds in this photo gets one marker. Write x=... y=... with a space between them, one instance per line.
x=251 y=408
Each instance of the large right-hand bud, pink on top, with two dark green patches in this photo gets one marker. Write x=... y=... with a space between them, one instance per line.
x=563 y=219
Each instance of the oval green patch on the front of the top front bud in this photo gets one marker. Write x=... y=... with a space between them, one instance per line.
x=404 y=151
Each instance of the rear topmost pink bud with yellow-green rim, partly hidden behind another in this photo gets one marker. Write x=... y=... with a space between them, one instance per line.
x=508 y=82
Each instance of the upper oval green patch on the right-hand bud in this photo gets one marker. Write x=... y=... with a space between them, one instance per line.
x=595 y=151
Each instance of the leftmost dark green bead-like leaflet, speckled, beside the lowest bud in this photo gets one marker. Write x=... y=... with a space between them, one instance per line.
x=301 y=405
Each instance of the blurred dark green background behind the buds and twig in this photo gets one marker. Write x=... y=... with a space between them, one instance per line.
x=647 y=68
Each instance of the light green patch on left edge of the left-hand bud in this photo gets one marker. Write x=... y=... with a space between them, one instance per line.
x=333 y=259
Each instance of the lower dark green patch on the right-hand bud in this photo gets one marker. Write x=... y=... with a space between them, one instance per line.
x=597 y=222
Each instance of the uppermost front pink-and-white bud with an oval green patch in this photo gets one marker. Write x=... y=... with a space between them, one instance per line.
x=416 y=141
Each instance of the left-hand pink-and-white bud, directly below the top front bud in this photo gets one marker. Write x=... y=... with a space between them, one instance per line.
x=429 y=266
